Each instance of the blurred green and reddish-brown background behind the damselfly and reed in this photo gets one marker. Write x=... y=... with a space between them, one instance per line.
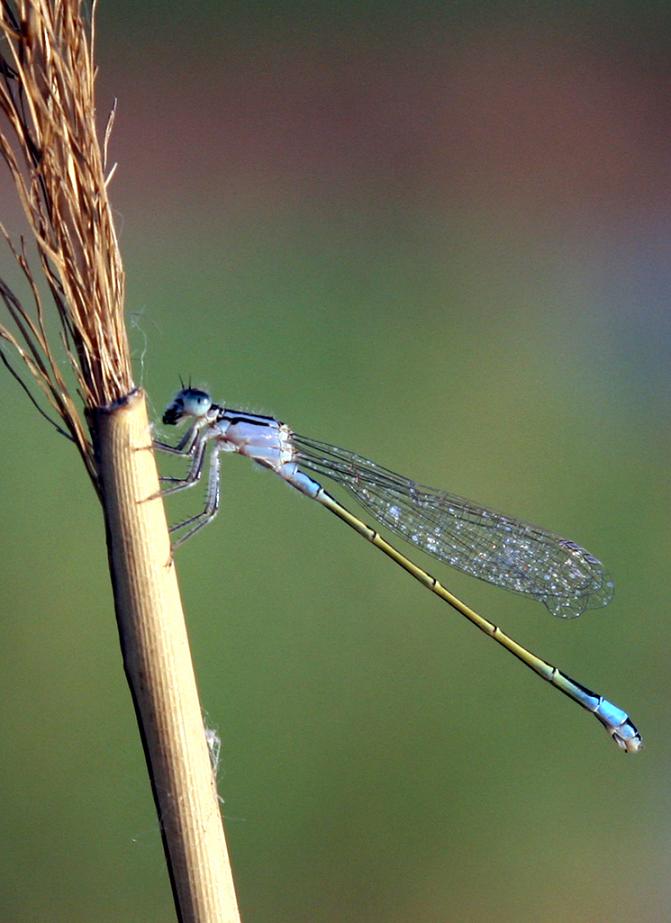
x=437 y=234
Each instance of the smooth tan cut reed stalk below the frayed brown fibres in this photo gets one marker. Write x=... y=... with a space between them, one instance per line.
x=158 y=665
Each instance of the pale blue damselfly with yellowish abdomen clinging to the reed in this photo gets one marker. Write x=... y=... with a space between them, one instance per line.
x=474 y=539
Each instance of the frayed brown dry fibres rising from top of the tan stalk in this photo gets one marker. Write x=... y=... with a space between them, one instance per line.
x=50 y=145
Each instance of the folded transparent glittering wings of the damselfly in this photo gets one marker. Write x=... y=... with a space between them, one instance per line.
x=504 y=551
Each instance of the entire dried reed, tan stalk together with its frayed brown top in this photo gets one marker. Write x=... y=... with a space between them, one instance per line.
x=47 y=77
